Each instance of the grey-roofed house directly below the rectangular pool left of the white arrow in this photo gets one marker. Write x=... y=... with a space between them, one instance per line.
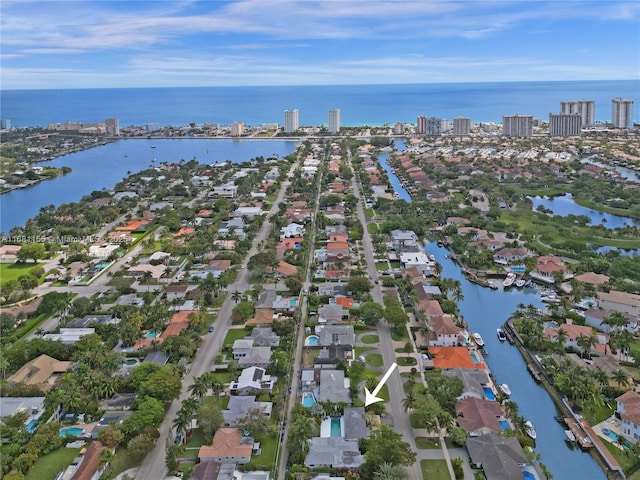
x=333 y=452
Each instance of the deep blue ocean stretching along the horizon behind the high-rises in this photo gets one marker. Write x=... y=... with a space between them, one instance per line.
x=373 y=105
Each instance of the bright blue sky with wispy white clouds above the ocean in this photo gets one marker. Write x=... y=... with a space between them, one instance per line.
x=109 y=43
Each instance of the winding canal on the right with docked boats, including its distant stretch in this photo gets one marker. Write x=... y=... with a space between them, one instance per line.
x=485 y=310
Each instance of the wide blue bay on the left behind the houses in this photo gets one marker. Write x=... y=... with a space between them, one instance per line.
x=104 y=166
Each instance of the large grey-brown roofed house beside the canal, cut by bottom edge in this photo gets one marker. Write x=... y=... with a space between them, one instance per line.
x=499 y=457
